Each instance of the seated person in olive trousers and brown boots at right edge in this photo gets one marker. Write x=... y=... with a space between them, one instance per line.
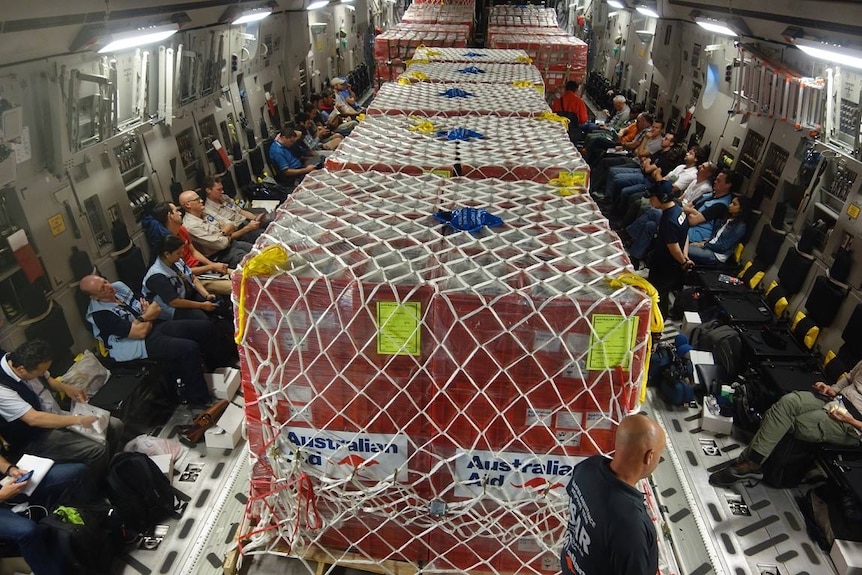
x=802 y=414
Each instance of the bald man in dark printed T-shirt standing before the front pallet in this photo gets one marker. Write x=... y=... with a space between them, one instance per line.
x=609 y=530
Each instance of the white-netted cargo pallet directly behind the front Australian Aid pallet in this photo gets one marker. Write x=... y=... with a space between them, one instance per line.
x=513 y=148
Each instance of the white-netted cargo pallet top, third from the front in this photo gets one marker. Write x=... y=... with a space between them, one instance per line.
x=433 y=99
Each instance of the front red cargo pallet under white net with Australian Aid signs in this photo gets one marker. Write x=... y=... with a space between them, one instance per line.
x=417 y=396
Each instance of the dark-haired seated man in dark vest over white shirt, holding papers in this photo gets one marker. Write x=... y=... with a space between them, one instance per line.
x=32 y=422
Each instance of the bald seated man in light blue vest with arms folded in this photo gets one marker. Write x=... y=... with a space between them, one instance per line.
x=130 y=329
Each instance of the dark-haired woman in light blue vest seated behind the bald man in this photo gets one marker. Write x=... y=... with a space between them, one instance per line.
x=171 y=283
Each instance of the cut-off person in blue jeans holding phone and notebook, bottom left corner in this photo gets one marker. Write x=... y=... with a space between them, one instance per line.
x=62 y=479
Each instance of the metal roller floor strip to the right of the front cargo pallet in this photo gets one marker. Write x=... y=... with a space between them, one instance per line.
x=749 y=529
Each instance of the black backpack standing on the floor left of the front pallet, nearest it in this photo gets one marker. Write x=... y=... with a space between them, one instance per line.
x=140 y=492
